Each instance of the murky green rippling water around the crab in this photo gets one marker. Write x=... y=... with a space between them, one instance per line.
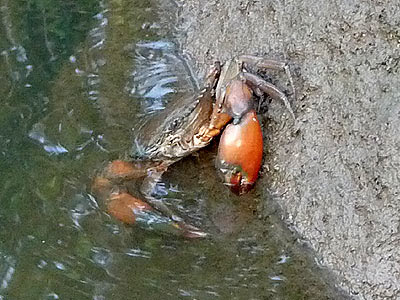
x=75 y=78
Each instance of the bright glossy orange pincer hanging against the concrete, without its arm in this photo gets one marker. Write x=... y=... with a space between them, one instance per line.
x=240 y=153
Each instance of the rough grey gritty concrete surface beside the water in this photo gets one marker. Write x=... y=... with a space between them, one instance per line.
x=335 y=171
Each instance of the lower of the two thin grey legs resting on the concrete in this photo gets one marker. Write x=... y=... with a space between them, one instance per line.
x=268 y=88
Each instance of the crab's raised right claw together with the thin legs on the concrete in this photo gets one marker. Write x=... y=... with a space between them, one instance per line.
x=241 y=145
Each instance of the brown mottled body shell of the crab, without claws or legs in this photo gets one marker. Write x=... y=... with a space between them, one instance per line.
x=177 y=131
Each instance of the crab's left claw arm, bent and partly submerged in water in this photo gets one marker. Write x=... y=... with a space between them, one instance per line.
x=152 y=214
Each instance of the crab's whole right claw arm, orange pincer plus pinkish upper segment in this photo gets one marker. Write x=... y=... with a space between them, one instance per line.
x=241 y=145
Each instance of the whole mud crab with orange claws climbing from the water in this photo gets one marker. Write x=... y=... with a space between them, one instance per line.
x=186 y=127
